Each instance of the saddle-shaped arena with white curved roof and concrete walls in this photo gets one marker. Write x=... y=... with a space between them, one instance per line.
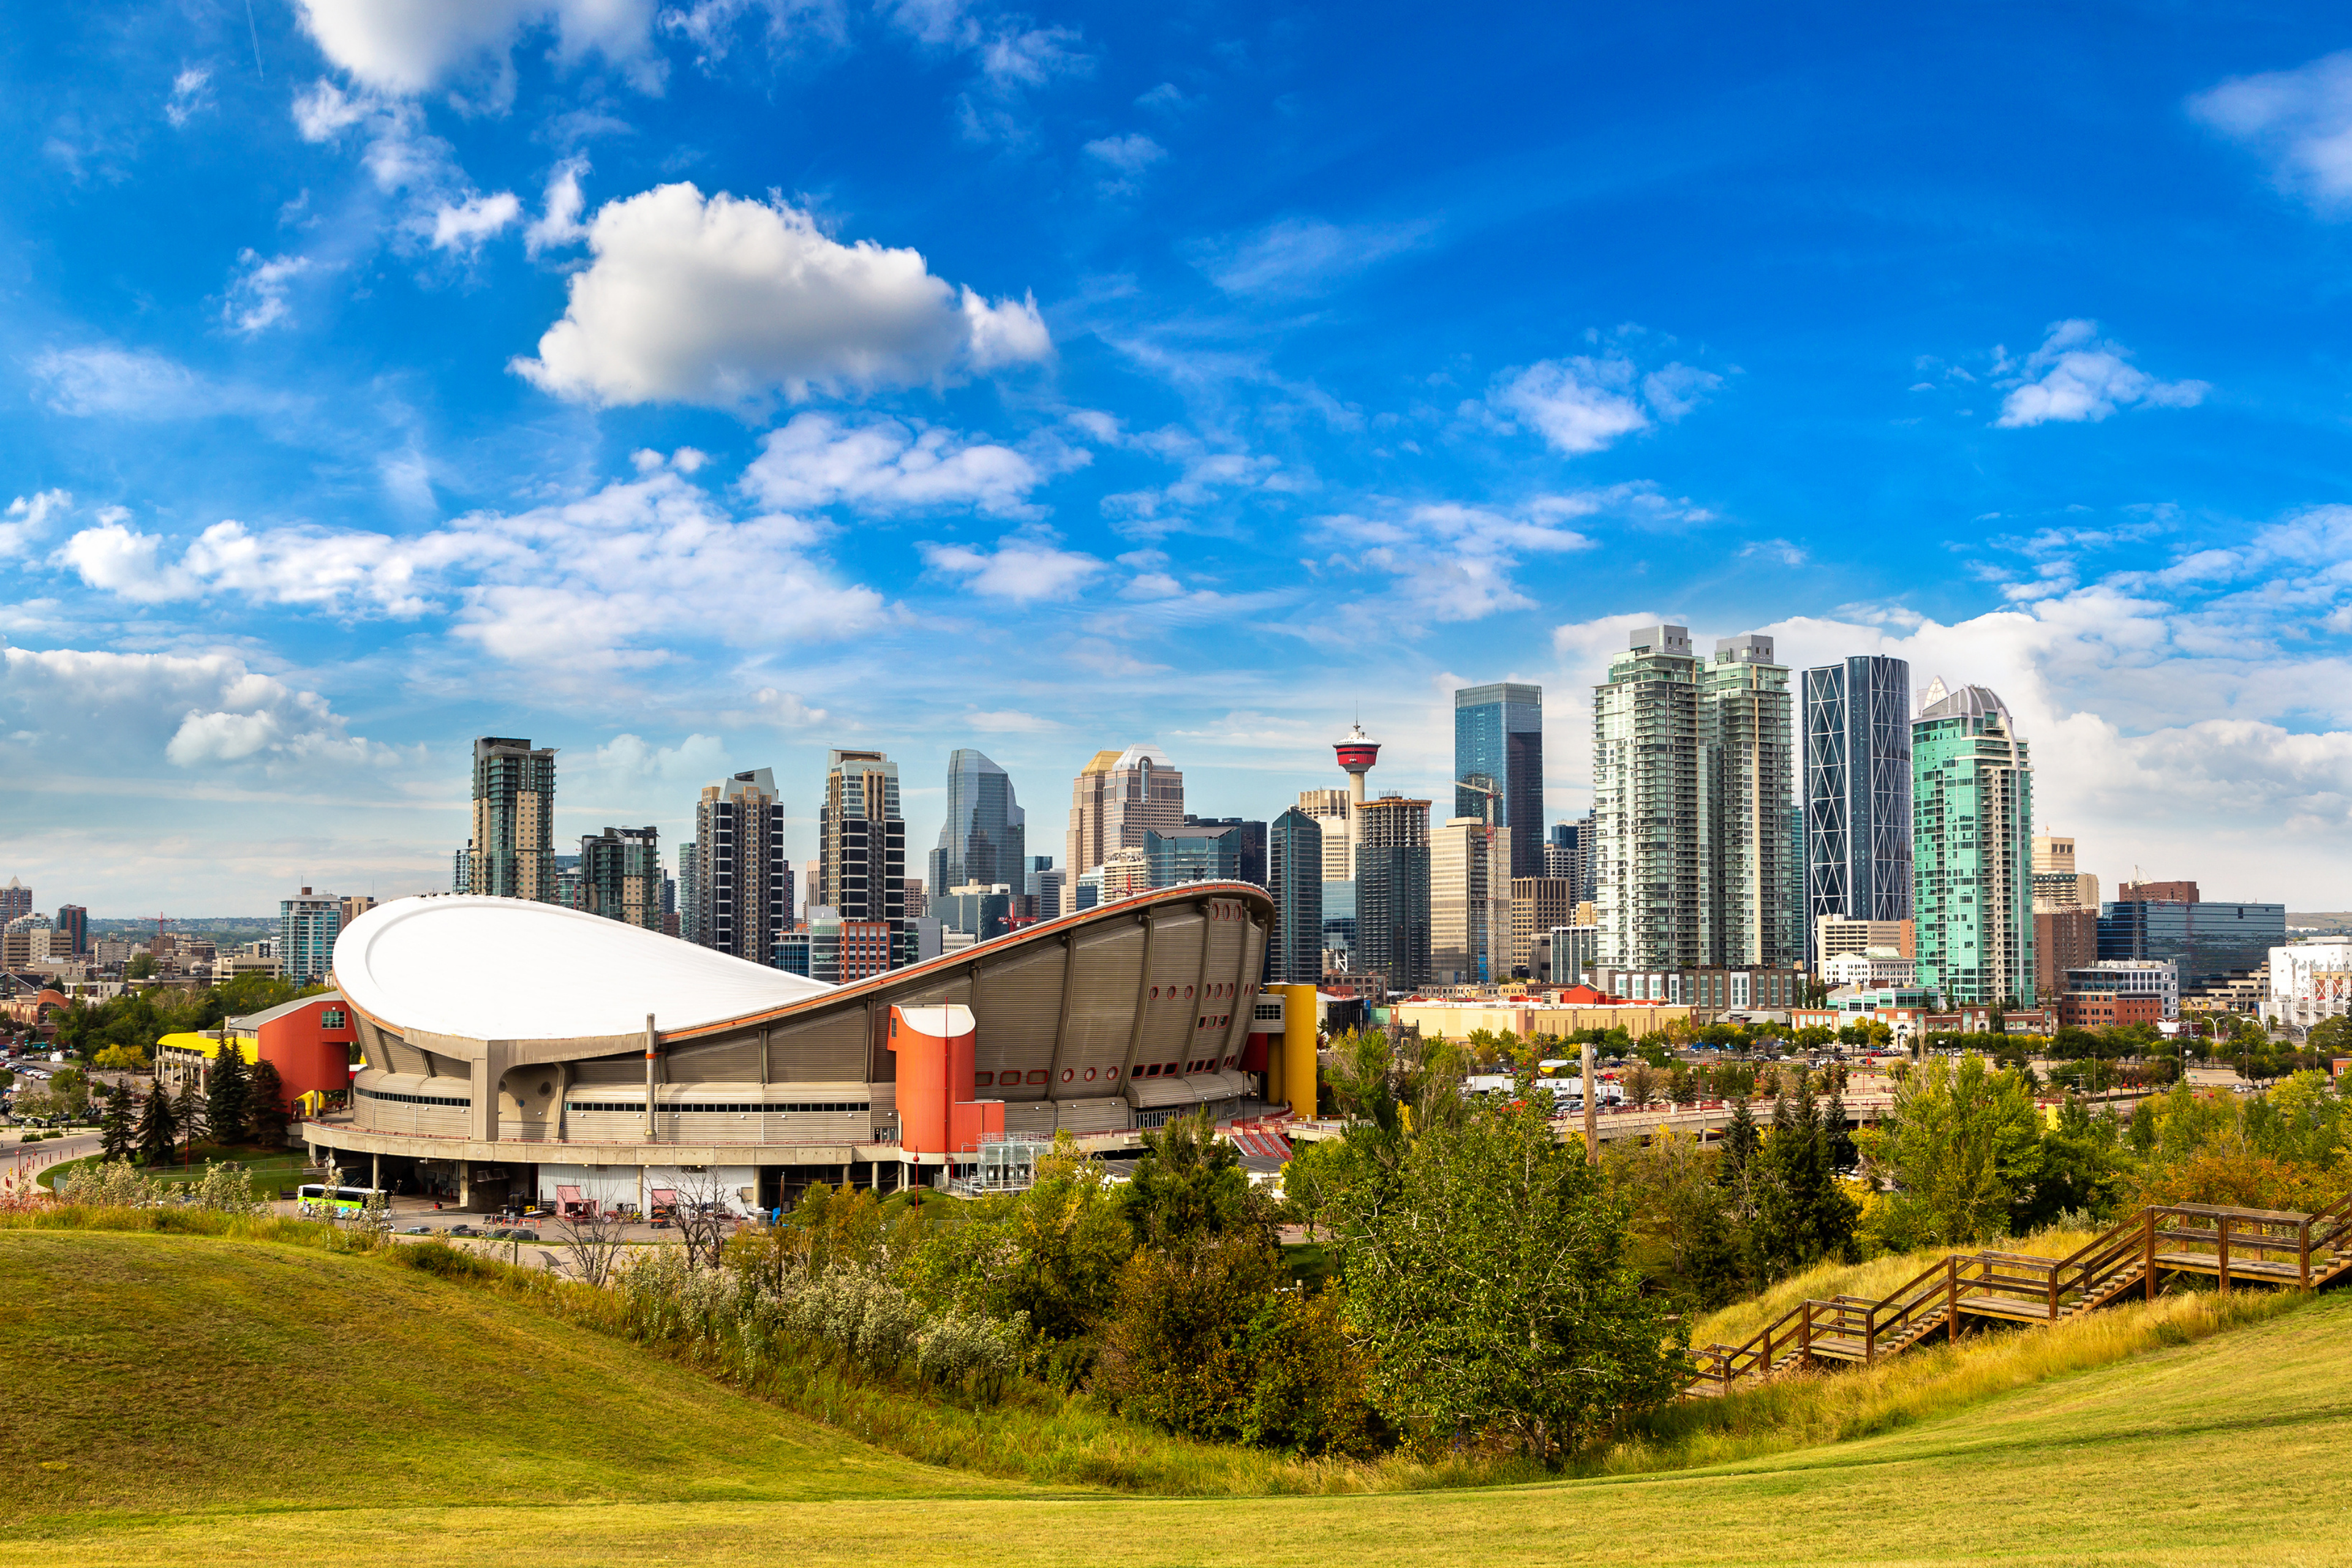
x=519 y=1050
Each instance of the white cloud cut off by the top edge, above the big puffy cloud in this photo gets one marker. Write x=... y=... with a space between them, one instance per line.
x=410 y=46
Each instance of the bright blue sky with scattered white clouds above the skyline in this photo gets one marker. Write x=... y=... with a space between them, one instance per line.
x=700 y=387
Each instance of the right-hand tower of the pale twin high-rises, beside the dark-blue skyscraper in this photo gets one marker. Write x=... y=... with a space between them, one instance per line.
x=1749 y=909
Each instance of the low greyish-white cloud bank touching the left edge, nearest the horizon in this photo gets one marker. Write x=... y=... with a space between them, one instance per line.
x=189 y=711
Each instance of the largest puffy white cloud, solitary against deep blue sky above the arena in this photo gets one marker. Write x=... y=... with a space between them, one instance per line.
x=726 y=300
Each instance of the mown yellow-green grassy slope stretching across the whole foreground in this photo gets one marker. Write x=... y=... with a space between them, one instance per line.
x=328 y=1409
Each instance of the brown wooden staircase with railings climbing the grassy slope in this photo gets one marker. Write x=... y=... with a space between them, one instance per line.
x=2231 y=1245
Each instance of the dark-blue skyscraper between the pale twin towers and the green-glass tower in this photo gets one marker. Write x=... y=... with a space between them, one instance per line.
x=1857 y=793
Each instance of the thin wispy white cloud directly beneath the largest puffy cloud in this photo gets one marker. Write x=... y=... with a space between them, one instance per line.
x=886 y=467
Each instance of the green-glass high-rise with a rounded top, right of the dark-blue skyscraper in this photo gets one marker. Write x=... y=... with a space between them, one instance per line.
x=1972 y=850
